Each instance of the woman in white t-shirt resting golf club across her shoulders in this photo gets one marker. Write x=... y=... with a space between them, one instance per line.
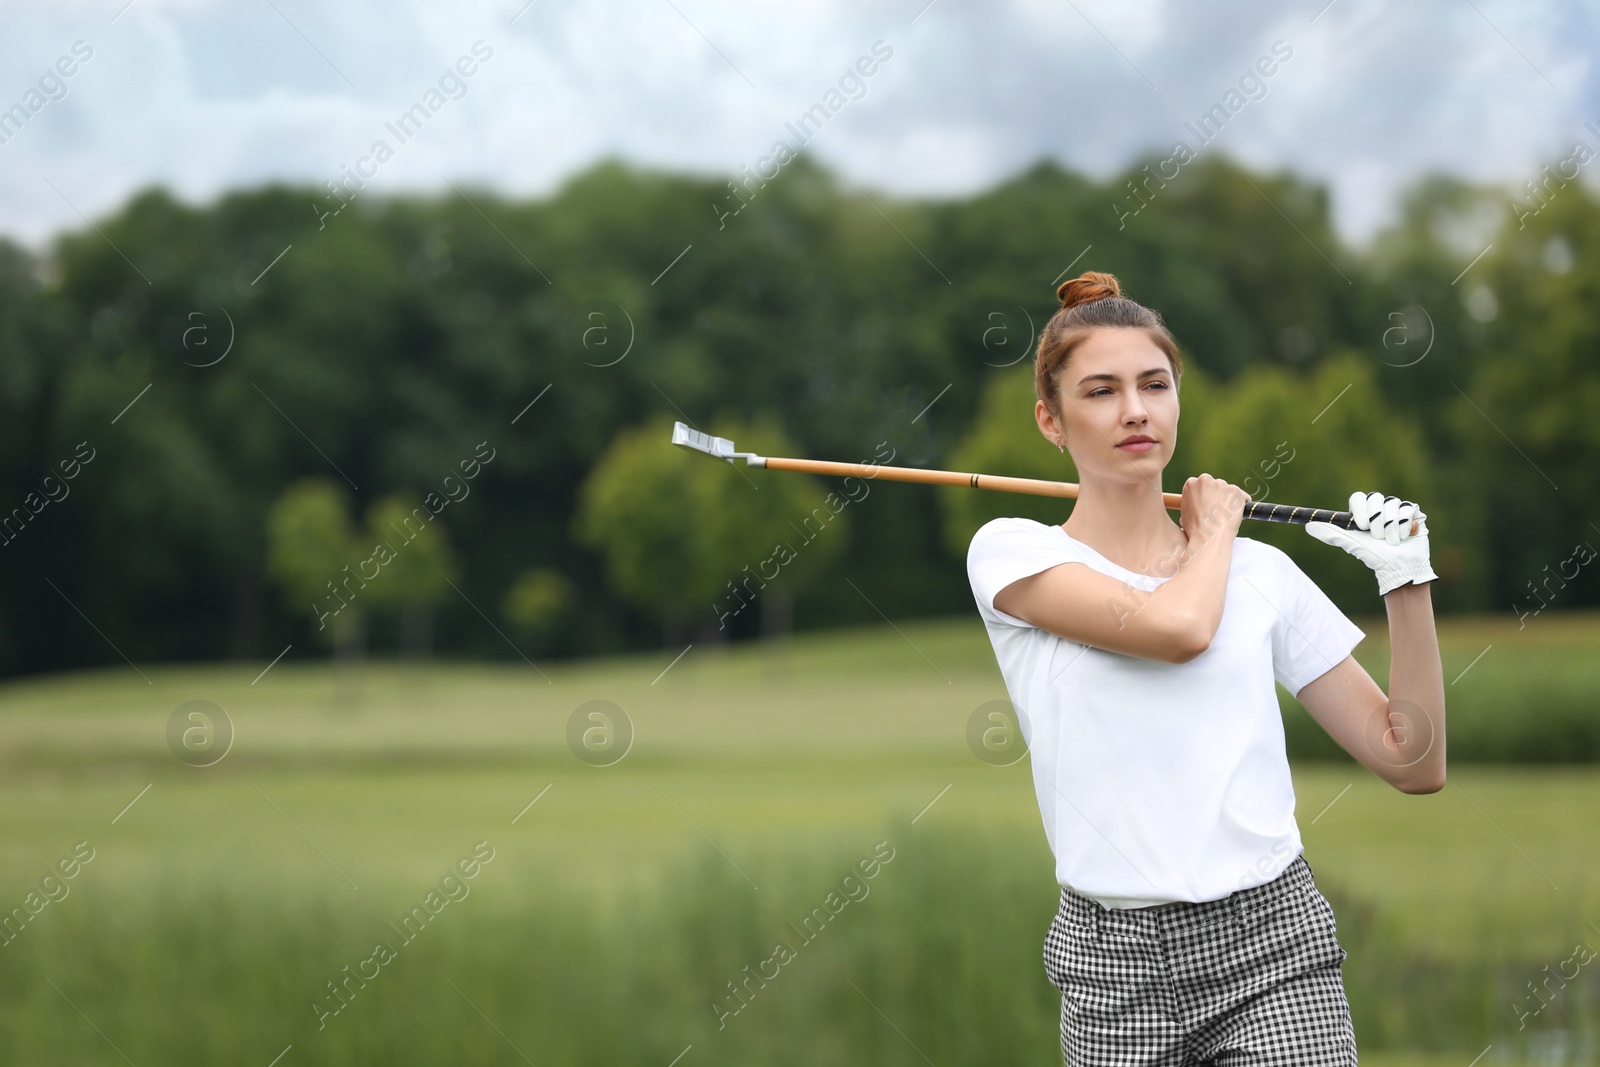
x=1142 y=658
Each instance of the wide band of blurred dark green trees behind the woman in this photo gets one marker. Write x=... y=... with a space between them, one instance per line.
x=390 y=345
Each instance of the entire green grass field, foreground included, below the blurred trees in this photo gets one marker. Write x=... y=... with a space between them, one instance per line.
x=622 y=903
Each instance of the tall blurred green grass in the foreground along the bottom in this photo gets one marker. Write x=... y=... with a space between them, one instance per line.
x=938 y=961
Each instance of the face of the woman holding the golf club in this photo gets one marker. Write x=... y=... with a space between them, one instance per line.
x=1116 y=386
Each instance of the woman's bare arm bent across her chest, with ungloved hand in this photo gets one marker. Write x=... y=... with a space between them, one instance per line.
x=1175 y=621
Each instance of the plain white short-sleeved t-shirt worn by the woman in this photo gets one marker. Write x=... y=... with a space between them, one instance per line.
x=1161 y=781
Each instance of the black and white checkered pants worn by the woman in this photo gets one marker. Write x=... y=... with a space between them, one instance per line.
x=1252 y=978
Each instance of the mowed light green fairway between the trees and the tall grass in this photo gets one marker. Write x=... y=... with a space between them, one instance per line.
x=777 y=767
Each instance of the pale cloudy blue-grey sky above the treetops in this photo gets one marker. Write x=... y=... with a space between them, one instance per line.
x=206 y=97
